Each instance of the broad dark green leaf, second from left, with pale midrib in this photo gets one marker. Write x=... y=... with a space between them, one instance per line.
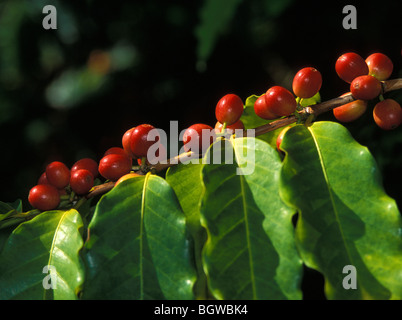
x=138 y=246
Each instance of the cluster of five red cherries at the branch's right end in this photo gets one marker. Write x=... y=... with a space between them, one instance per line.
x=364 y=77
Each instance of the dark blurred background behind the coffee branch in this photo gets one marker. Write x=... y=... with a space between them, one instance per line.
x=73 y=92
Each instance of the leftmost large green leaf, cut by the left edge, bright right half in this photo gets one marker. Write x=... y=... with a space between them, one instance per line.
x=53 y=239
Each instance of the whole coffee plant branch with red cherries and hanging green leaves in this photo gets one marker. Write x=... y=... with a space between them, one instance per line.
x=239 y=213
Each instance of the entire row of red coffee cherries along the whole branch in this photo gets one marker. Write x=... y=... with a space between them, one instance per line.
x=364 y=76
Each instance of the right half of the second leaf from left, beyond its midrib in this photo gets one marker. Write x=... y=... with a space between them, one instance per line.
x=167 y=236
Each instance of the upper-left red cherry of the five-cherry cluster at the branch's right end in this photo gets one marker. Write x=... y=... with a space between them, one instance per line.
x=350 y=66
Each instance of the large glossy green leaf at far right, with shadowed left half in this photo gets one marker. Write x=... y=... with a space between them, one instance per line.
x=345 y=217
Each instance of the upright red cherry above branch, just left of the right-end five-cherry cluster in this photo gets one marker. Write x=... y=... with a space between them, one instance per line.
x=307 y=82
